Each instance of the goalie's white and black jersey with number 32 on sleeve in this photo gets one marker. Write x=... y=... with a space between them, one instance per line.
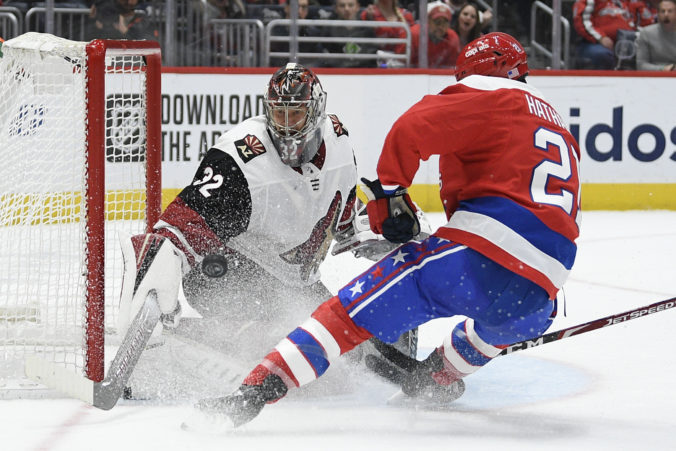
x=244 y=199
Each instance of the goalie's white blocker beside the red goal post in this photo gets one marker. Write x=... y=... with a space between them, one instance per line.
x=151 y=264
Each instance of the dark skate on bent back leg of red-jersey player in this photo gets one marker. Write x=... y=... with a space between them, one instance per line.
x=417 y=379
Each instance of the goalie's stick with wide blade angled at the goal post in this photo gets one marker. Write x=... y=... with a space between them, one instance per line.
x=104 y=394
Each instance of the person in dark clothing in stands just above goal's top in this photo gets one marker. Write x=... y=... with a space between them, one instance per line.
x=118 y=19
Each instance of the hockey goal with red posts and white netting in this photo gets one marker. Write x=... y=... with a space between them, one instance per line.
x=79 y=161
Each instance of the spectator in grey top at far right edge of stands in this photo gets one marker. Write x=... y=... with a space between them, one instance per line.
x=656 y=44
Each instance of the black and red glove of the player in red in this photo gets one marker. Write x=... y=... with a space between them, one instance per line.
x=391 y=214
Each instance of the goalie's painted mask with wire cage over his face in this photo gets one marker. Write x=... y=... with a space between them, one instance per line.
x=295 y=105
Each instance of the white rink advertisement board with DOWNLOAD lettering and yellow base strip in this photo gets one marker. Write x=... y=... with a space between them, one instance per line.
x=625 y=125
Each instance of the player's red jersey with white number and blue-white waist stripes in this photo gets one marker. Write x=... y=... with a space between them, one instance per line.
x=509 y=173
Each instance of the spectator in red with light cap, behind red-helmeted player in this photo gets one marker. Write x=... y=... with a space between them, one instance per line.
x=443 y=45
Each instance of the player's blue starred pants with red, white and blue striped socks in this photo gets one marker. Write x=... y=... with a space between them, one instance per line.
x=416 y=283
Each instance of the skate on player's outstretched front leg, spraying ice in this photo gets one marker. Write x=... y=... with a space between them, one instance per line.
x=236 y=409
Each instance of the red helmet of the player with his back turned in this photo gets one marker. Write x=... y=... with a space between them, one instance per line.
x=496 y=55
